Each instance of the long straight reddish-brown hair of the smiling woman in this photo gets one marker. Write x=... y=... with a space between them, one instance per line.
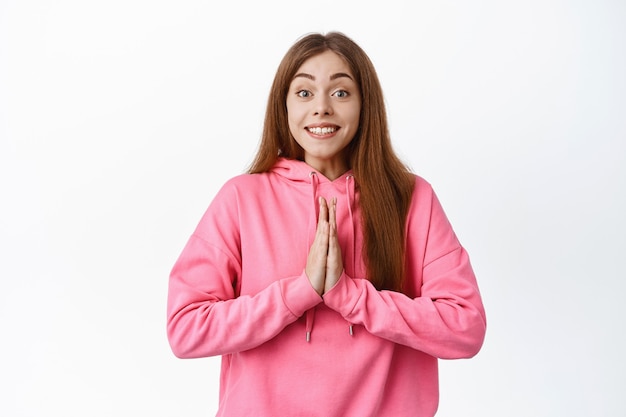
x=385 y=183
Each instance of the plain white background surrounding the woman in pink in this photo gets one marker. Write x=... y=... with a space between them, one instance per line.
x=120 y=119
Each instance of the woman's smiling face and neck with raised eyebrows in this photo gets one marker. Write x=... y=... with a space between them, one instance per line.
x=323 y=107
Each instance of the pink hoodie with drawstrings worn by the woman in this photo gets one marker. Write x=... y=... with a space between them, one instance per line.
x=239 y=290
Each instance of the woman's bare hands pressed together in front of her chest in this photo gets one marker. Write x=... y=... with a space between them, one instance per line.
x=324 y=264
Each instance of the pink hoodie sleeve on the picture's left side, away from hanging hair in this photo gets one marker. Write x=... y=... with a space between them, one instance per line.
x=205 y=315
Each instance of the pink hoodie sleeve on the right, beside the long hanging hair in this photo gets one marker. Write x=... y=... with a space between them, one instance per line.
x=446 y=319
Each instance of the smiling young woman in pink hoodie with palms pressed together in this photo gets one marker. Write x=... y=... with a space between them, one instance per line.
x=328 y=277
